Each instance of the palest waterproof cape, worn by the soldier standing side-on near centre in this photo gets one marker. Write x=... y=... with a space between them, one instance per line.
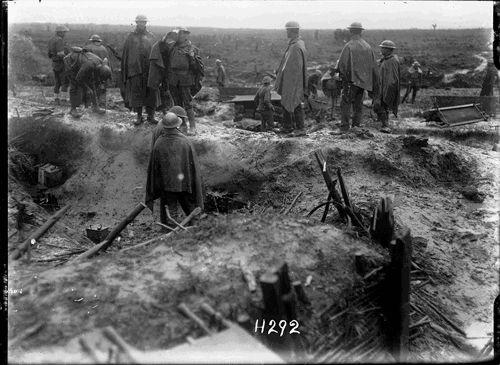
x=291 y=82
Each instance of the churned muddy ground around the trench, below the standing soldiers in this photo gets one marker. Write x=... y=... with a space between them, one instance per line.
x=105 y=160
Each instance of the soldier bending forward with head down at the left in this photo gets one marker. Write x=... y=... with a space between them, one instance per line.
x=85 y=70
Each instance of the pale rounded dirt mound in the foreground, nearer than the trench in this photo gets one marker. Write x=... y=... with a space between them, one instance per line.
x=200 y=265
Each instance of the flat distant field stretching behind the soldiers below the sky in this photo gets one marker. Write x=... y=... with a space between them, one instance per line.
x=249 y=53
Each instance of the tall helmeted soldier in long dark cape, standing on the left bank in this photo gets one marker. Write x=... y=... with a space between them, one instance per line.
x=135 y=70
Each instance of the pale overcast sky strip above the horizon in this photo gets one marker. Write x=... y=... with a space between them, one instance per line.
x=260 y=14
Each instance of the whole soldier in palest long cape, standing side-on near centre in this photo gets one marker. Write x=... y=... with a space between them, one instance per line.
x=291 y=81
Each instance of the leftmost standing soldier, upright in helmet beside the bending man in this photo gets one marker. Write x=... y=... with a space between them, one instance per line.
x=57 y=51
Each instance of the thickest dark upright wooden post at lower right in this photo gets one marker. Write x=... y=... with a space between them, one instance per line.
x=398 y=308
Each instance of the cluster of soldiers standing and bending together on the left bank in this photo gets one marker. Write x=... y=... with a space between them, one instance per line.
x=156 y=74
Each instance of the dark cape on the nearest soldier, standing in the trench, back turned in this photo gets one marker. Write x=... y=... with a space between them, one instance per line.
x=173 y=166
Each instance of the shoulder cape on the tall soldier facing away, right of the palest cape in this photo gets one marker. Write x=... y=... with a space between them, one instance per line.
x=358 y=65
